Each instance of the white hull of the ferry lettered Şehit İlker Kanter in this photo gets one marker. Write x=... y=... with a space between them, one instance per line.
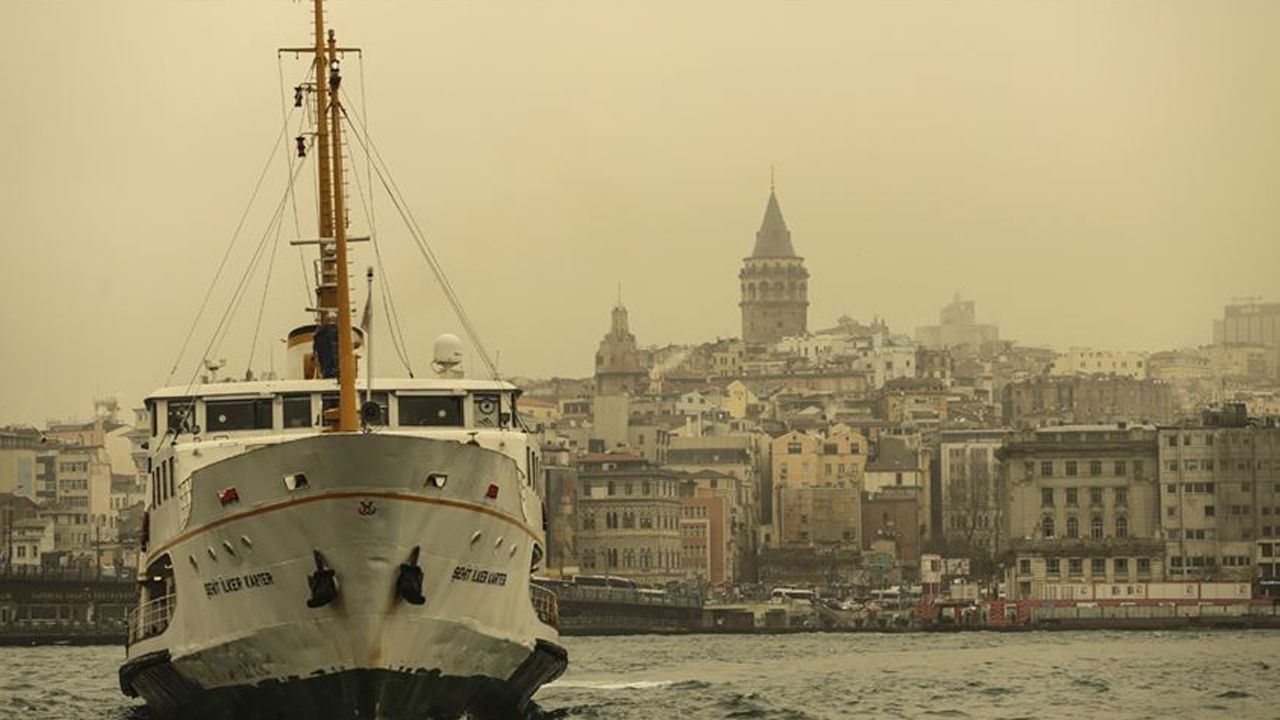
x=241 y=640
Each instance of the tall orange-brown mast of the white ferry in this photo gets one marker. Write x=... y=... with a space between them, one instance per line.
x=333 y=293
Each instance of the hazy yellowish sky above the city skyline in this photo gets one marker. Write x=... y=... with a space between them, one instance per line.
x=1091 y=174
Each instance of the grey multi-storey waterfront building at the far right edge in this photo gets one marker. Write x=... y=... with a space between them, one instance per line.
x=1222 y=496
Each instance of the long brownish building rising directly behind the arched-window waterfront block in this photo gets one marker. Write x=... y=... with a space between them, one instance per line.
x=1087 y=400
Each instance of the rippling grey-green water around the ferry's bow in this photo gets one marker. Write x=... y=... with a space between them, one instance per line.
x=1032 y=676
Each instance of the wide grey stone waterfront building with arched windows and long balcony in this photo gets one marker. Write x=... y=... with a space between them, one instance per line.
x=1082 y=507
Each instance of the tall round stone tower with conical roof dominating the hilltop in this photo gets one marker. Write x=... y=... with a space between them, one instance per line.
x=775 y=284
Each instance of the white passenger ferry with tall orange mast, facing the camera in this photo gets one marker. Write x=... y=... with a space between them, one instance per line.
x=313 y=557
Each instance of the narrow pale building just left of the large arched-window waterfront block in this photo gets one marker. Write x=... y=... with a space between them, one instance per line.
x=972 y=509
